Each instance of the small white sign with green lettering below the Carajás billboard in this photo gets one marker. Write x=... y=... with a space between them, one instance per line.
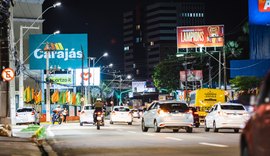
x=61 y=81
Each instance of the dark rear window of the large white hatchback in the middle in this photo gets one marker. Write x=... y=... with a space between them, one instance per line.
x=174 y=107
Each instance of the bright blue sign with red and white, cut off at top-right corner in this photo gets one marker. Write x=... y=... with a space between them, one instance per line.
x=259 y=12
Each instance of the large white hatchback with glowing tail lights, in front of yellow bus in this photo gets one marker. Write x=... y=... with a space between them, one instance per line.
x=170 y=114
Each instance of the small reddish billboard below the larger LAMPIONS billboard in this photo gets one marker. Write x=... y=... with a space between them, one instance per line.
x=192 y=75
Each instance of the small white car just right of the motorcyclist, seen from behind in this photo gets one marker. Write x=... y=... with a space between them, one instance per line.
x=121 y=114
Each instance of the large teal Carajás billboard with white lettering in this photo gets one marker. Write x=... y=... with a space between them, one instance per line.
x=64 y=50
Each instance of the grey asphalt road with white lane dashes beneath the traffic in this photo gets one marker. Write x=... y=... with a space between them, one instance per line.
x=123 y=139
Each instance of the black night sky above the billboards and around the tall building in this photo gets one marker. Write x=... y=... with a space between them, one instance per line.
x=102 y=21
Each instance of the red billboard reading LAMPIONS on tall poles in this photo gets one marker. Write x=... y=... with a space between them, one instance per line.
x=200 y=36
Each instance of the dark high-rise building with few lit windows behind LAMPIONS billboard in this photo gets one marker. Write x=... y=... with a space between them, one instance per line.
x=150 y=33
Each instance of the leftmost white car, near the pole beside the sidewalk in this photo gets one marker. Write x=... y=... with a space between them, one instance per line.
x=27 y=115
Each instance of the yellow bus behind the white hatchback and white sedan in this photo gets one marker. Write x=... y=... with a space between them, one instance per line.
x=203 y=99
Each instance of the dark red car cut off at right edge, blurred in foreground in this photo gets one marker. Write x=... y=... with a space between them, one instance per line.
x=255 y=137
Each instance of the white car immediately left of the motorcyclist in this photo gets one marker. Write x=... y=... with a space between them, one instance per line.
x=86 y=114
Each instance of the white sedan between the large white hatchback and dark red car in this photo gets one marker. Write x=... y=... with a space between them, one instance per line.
x=226 y=116
